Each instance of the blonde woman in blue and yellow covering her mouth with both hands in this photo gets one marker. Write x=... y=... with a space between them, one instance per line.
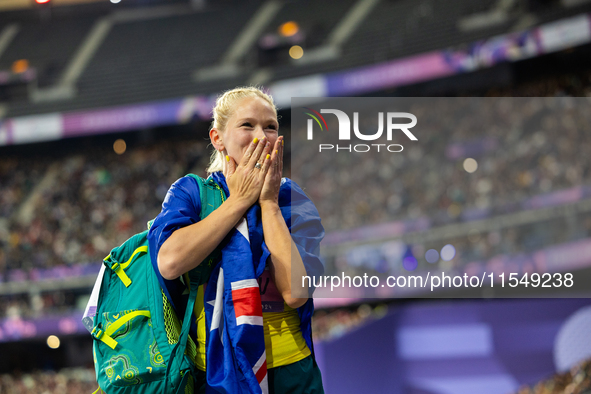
x=247 y=164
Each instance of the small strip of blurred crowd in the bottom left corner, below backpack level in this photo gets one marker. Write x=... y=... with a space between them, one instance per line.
x=66 y=381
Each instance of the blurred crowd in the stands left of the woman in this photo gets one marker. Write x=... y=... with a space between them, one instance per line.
x=76 y=208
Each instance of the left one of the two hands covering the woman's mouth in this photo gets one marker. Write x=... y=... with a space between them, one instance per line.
x=244 y=180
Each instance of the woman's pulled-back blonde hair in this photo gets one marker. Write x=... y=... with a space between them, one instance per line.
x=223 y=110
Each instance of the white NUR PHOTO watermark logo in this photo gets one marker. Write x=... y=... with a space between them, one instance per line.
x=344 y=133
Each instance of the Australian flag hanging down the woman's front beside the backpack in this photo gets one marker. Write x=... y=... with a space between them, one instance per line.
x=236 y=358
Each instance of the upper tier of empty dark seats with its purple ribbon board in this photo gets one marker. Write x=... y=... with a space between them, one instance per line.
x=142 y=67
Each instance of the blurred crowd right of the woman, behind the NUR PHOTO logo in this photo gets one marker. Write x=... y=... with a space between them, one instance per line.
x=522 y=148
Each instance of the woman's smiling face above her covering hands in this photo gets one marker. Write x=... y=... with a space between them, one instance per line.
x=253 y=118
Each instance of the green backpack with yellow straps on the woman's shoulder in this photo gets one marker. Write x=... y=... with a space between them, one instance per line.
x=140 y=344
